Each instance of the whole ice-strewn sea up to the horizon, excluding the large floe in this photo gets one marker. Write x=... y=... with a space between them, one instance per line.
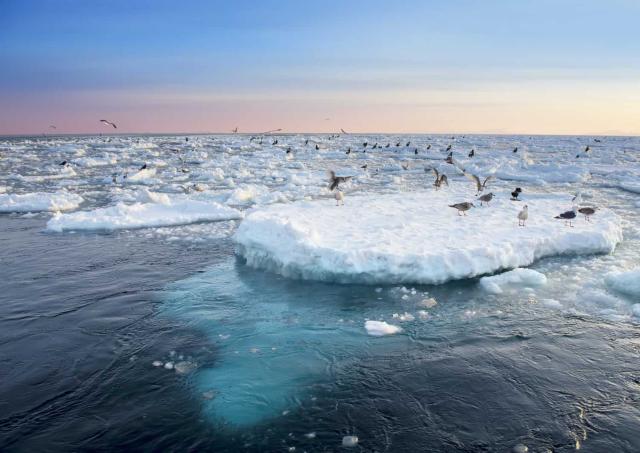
x=252 y=361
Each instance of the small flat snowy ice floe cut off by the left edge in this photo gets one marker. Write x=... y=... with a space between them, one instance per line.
x=39 y=201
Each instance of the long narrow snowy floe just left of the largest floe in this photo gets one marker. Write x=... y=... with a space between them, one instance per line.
x=142 y=215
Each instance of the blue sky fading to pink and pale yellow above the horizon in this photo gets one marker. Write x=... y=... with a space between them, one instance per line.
x=431 y=66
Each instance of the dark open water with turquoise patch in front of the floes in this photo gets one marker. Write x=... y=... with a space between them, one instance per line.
x=83 y=316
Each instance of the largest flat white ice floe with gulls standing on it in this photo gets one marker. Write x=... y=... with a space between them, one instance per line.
x=416 y=237
